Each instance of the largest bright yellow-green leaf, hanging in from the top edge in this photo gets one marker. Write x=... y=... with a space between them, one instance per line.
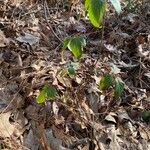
x=96 y=10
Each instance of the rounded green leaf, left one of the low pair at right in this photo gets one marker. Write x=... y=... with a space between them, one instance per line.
x=106 y=82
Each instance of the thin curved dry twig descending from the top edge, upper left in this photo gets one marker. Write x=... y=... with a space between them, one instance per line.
x=46 y=18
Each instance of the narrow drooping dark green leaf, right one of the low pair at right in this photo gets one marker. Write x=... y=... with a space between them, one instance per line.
x=119 y=87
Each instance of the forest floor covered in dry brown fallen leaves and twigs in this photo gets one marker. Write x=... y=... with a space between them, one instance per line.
x=81 y=116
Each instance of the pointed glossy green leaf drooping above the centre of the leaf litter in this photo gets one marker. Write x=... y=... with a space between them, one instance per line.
x=75 y=45
